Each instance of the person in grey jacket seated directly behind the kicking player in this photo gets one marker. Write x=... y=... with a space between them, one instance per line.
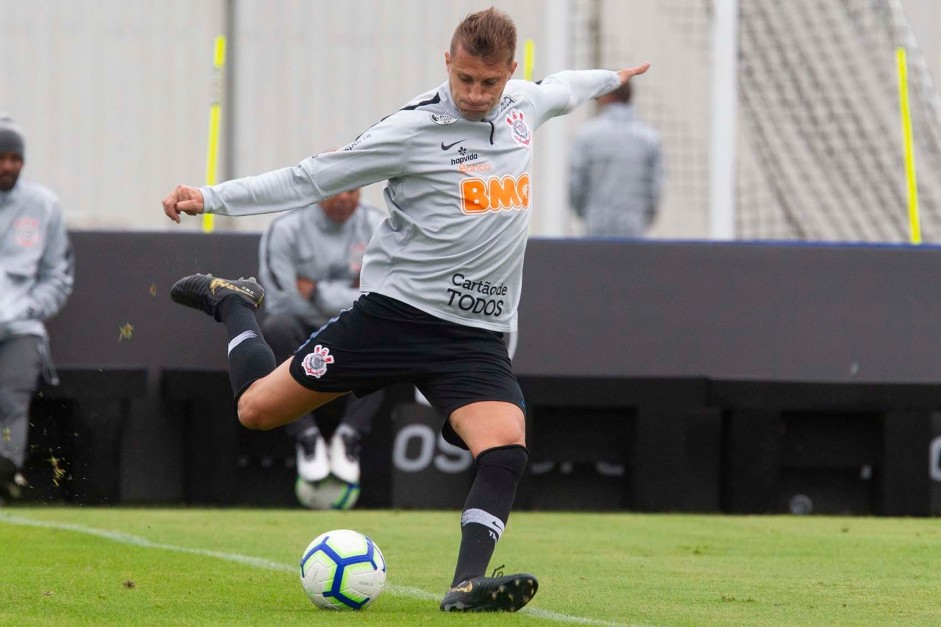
x=310 y=260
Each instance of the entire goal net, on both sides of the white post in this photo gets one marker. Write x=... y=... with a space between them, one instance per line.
x=820 y=151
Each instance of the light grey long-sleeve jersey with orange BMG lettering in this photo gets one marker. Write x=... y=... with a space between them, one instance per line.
x=458 y=195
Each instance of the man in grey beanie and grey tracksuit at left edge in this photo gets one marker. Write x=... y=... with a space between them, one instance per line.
x=36 y=275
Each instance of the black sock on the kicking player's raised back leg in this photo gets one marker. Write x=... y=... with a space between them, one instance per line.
x=250 y=358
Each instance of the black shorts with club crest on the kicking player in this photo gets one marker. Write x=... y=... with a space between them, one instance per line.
x=381 y=341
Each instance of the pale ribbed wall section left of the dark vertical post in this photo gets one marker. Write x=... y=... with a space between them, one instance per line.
x=113 y=99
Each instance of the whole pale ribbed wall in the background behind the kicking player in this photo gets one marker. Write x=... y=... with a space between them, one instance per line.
x=114 y=94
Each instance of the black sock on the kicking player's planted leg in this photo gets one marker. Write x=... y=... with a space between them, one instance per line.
x=487 y=508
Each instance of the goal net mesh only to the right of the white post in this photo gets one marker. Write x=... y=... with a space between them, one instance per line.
x=819 y=95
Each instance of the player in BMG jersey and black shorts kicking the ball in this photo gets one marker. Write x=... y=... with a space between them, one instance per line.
x=441 y=276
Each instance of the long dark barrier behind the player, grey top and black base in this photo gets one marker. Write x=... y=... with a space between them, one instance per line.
x=687 y=376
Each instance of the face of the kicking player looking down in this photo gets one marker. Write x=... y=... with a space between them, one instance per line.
x=476 y=86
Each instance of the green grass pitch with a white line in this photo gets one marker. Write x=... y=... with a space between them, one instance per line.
x=120 y=566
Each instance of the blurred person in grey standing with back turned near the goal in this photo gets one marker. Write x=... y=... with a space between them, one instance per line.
x=616 y=170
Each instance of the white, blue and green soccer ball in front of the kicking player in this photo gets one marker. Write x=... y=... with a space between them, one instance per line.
x=343 y=570
